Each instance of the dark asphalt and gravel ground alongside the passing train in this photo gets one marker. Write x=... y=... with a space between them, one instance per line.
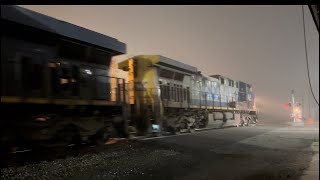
x=260 y=152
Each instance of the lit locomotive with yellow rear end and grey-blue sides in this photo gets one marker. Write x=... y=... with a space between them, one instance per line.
x=178 y=97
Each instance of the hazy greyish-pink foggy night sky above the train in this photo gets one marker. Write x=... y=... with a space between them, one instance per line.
x=261 y=45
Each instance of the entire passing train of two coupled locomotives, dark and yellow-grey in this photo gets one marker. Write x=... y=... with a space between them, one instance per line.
x=57 y=89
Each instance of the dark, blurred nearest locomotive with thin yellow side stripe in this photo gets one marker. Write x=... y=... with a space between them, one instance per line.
x=55 y=80
